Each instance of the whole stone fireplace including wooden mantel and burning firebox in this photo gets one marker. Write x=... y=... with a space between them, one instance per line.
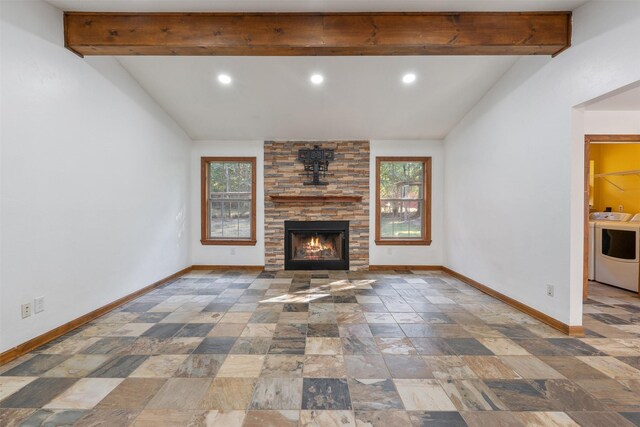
x=344 y=199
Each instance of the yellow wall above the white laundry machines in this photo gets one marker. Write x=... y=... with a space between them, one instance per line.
x=615 y=158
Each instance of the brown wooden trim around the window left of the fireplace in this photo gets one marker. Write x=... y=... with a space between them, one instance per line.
x=205 y=238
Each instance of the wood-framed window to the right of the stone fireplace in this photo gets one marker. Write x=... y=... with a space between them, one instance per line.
x=403 y=200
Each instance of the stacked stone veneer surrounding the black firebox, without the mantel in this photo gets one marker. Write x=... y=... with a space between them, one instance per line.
x=349 y=177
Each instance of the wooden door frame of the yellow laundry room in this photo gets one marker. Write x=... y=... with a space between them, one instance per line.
x=588 y=139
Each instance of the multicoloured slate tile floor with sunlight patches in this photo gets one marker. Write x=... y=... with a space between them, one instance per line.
x=402 y=348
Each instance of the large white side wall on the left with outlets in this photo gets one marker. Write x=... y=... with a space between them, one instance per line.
x=94 y=179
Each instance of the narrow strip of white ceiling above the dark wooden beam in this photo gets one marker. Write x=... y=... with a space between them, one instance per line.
x=313 y=5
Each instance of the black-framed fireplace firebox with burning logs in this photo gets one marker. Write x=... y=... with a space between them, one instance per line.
x=316 y=245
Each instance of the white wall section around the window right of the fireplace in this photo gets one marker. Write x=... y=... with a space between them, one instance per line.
x=410 y=255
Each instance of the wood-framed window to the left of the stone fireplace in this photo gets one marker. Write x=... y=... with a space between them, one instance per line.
x=228 y=186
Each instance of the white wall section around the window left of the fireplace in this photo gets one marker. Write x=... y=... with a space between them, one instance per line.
x=226 y=255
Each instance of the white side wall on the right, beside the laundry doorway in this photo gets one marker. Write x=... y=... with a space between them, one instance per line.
x=514 y=165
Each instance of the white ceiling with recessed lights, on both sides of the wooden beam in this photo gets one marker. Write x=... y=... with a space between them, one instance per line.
x=362 y=97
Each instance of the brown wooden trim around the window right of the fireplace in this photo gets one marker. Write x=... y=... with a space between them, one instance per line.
x=426 y=218
